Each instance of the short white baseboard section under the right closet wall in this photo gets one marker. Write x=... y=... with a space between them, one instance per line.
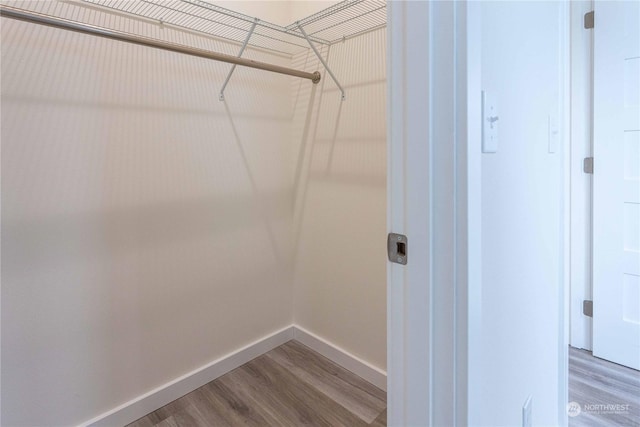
x=374 y=375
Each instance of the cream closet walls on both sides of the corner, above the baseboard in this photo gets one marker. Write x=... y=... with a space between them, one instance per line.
x=149 y=229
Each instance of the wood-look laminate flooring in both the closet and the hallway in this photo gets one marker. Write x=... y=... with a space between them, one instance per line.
x=293 y=385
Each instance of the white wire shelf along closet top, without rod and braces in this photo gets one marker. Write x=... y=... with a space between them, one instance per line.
x=343 y=20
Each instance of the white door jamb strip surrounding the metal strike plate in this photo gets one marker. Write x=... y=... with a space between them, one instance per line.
x=409 y=316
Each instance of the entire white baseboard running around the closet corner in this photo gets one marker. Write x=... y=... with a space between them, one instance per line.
x=157 y=398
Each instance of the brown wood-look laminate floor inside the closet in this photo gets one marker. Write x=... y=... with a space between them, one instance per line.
x=291 y=385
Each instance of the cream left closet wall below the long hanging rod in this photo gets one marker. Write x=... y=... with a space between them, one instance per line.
x=145 y=224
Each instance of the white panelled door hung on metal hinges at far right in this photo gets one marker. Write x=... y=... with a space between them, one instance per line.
x=616 y=191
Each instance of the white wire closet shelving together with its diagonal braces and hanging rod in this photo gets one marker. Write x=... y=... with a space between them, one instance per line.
x=337 y=23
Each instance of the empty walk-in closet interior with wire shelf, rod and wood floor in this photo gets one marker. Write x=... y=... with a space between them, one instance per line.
x=190 y=190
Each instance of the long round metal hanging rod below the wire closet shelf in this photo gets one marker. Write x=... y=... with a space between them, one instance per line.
x=39 y=18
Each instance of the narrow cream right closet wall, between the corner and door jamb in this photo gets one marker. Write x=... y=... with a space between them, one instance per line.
x=340 y=216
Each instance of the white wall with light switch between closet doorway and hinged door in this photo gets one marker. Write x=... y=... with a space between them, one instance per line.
x=519 y=334
